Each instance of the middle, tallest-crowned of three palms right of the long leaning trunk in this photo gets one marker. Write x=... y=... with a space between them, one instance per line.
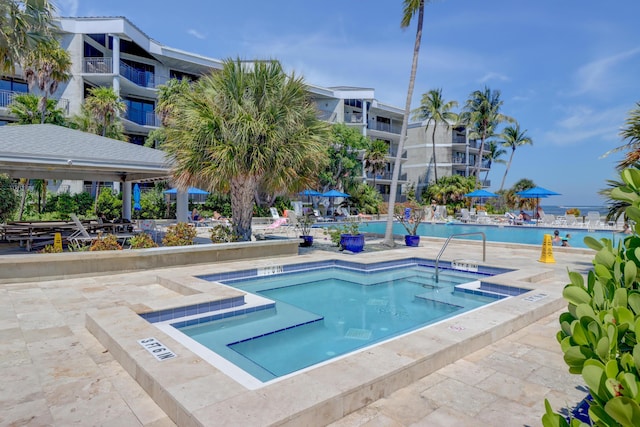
x=482 y=115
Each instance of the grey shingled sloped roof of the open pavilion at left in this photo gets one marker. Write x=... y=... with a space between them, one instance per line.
x=55 y=152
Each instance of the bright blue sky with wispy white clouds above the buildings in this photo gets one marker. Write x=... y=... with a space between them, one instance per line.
x=568 y=70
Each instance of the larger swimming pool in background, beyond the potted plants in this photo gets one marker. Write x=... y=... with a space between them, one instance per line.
x=531 y=235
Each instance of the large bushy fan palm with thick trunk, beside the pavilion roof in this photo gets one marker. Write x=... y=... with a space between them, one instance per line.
x=246 y=128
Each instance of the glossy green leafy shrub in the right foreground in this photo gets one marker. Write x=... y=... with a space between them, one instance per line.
x=599 y=331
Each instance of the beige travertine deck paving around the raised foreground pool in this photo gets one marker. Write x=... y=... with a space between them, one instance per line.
x=55 y=372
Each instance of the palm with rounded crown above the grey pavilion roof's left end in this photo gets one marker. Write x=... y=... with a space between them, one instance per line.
x=46 y=67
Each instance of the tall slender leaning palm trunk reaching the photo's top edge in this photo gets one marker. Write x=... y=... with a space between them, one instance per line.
x=410 y=9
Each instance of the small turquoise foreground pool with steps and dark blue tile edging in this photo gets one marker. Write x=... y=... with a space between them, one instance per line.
x=314 y=312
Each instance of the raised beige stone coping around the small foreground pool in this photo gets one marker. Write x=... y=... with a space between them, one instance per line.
x=196 y=392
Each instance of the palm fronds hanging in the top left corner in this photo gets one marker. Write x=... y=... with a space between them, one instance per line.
x=23 y=25
